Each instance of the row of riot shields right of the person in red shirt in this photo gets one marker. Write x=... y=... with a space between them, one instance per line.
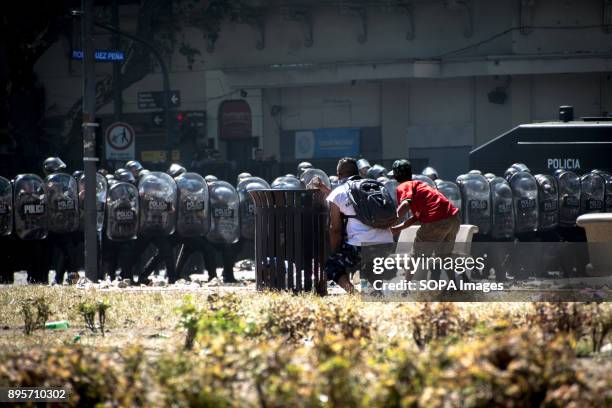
x=525 y=203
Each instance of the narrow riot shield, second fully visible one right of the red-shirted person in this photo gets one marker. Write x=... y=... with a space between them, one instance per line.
x=502 y=214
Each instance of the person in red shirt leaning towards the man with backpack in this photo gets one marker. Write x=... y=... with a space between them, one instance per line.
x=438 y=217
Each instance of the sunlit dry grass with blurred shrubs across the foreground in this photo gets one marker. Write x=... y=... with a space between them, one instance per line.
x=236 y=347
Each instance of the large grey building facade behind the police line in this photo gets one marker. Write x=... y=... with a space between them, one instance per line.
x=427 y=80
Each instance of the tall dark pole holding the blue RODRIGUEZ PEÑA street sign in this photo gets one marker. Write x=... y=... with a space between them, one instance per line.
x=89 y=139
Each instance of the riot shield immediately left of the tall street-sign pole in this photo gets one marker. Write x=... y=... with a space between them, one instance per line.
x=62 y=203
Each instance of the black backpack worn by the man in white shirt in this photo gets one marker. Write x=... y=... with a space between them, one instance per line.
x=372 y=202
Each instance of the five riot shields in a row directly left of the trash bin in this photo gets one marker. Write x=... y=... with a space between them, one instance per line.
x=187 y=206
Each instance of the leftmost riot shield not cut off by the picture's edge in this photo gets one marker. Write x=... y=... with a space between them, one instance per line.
x=30 y=207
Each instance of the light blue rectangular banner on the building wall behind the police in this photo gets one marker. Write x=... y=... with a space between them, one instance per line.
x=327 y=143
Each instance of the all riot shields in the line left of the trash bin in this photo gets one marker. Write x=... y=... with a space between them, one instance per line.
x=158 y=205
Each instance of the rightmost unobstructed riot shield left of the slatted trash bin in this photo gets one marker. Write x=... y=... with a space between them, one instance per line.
x=224 y=218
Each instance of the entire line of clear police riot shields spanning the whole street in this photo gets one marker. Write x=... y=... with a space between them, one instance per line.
x=188 y=206
